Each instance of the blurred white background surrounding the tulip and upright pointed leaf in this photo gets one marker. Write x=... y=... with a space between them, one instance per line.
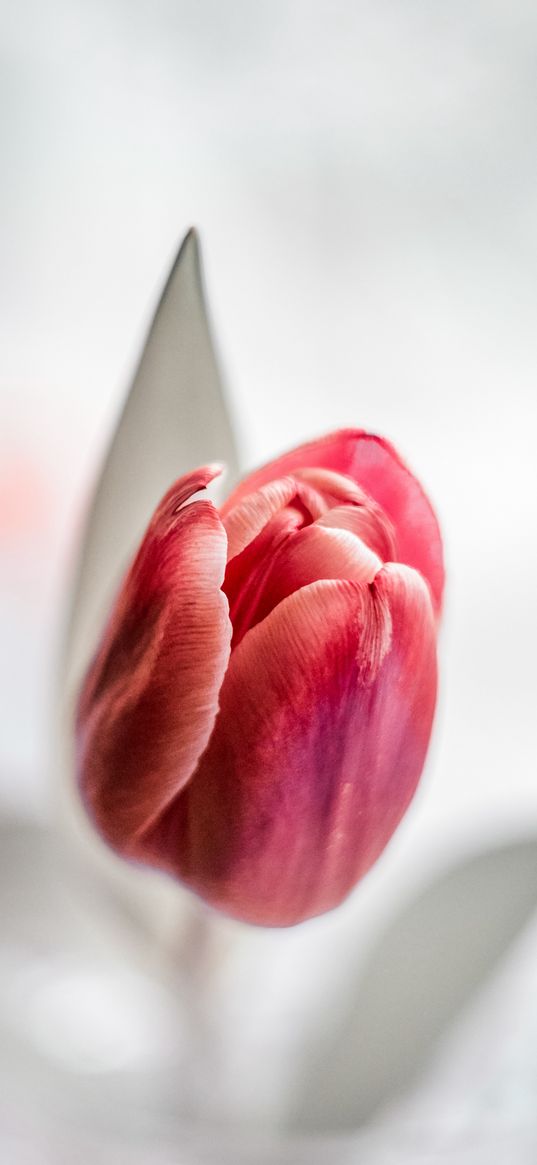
x=365 y=181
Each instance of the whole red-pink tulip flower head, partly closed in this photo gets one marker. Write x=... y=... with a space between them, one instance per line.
x=258 y=715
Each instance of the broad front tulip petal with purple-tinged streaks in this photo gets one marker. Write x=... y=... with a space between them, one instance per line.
x=327 y=711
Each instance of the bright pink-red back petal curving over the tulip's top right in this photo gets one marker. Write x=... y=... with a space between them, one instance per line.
x=375 y=464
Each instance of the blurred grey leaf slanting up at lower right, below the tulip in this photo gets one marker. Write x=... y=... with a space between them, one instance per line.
x=423 y=971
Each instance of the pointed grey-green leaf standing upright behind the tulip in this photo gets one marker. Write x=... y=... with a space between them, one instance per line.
x=175 y=418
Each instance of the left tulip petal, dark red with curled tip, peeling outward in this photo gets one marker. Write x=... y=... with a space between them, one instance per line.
x=151 y=697
